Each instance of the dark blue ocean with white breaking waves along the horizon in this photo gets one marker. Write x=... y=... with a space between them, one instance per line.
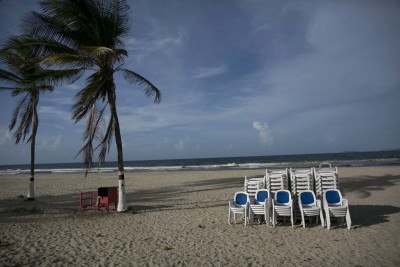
x=347 y=159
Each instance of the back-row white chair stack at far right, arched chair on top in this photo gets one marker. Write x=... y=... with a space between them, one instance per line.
x=326 y=177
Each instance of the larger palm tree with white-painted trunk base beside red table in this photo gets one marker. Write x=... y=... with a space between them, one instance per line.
x=89 y=34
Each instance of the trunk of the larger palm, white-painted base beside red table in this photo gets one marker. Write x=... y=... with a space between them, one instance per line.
x=118 y=140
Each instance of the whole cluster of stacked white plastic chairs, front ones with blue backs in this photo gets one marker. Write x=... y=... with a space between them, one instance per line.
x=294 y=193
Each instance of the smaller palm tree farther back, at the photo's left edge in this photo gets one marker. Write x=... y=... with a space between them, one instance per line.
x=24 y=77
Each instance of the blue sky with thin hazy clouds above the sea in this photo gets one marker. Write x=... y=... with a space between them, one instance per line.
x=238 y=78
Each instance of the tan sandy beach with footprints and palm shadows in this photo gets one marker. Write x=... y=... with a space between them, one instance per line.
x=180 y=219
